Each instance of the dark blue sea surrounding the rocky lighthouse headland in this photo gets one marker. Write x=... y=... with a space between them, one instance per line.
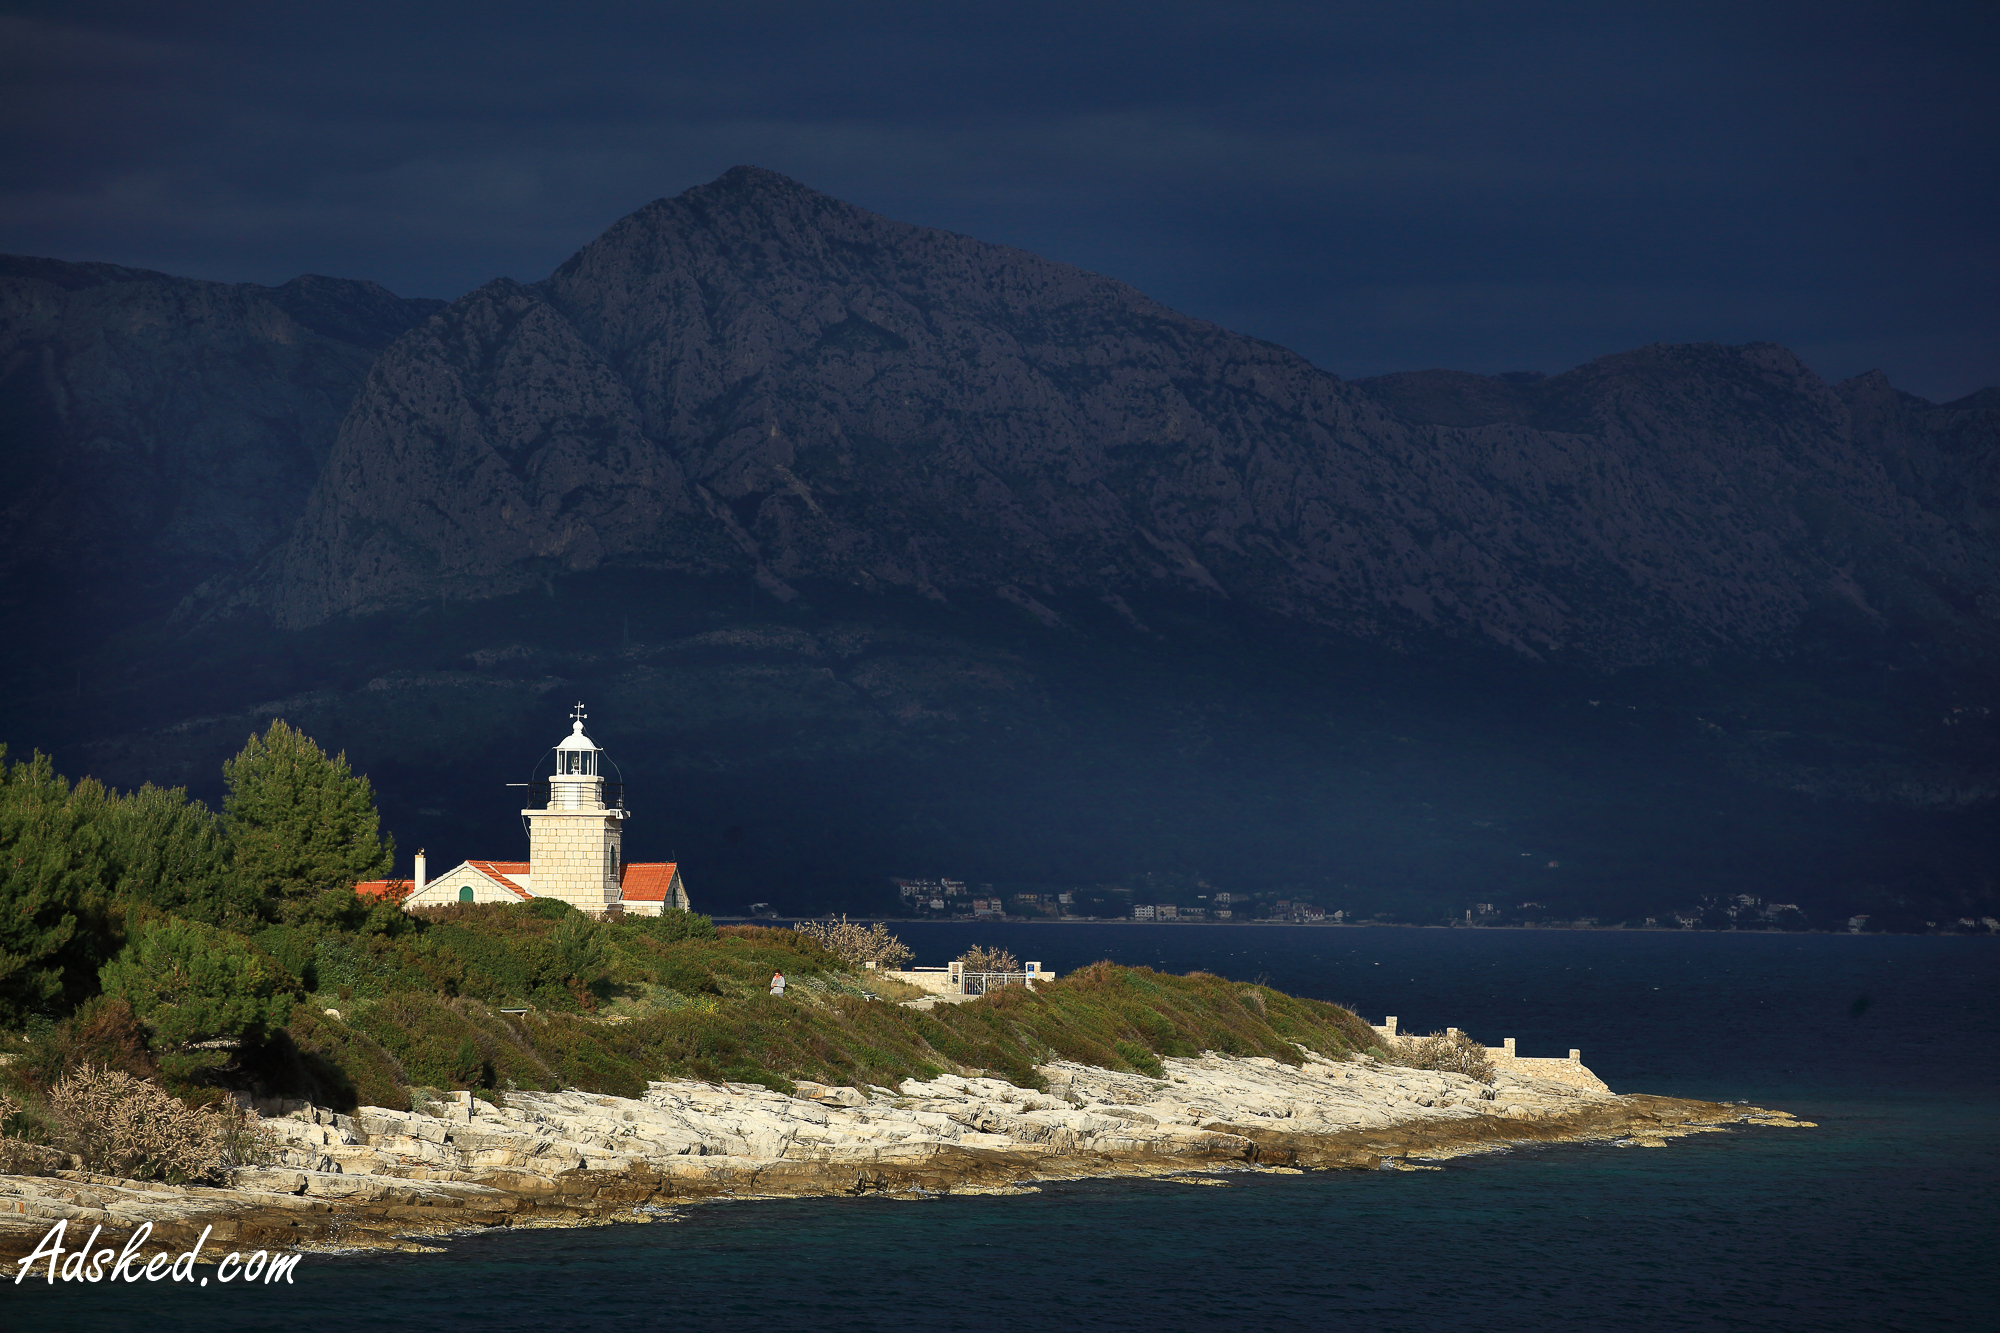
x=1883 y=1218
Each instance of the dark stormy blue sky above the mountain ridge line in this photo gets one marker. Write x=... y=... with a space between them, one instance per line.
x=1381 y=187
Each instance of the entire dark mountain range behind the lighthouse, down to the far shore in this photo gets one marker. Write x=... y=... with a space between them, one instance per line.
x=885 y=551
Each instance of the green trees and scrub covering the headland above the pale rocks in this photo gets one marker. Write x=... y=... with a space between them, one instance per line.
x=147 y=942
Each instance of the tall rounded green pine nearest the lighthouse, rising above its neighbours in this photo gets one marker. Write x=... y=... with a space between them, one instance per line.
x=301 y=826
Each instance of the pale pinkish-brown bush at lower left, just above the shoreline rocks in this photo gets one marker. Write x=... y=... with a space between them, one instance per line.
x=123 y=1126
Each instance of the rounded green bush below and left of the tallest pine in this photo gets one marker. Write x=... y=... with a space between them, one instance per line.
x=191 y=982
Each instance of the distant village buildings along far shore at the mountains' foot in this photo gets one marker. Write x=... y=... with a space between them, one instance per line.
x=1193 y=900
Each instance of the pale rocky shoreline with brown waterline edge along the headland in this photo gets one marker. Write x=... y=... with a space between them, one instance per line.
x=395 y=1180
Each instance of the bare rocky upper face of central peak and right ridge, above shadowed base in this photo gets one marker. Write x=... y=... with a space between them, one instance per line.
x=761 y=377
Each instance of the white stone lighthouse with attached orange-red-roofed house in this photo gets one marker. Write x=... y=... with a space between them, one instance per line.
x=575 y=852
